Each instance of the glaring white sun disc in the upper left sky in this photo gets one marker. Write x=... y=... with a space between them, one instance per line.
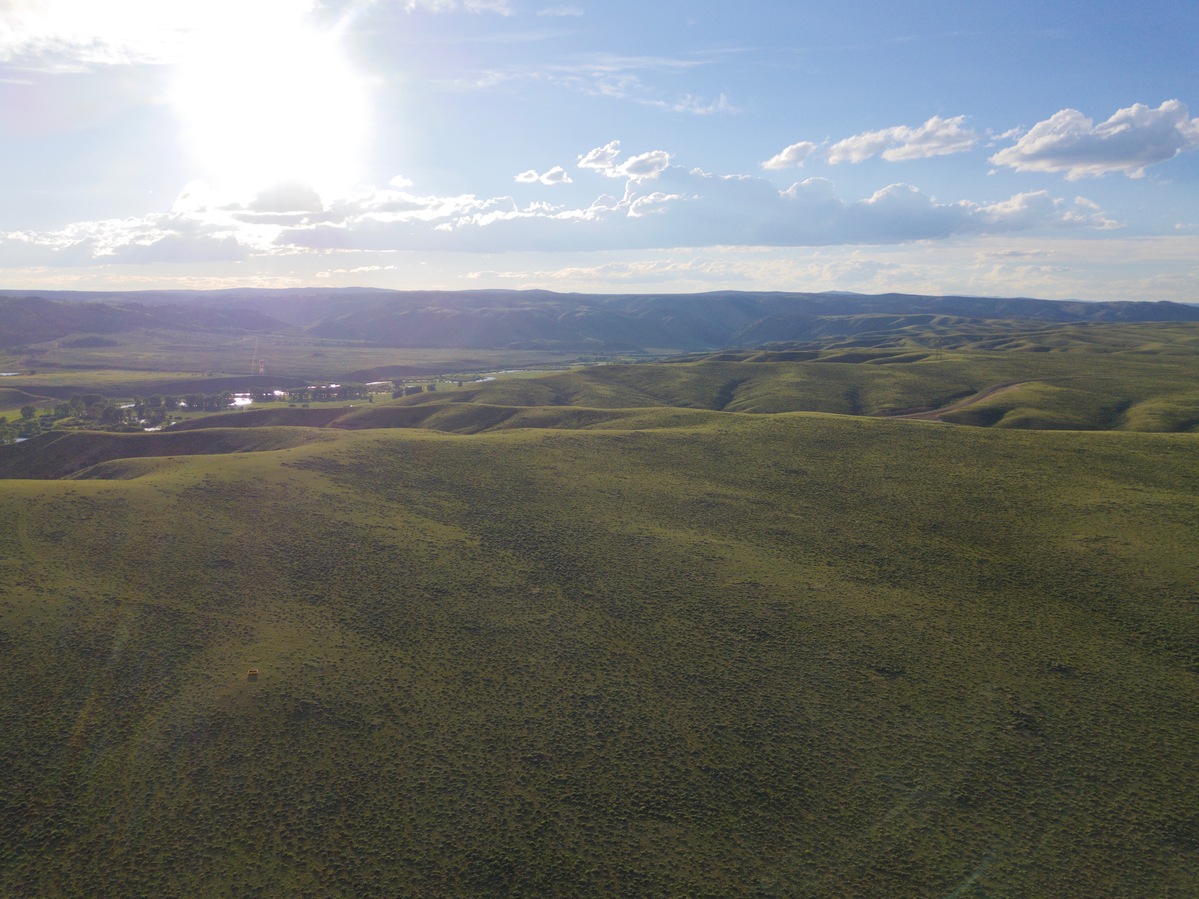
x=273 y=105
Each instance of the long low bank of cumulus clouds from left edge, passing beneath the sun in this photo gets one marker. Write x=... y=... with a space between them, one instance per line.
x=662 y=206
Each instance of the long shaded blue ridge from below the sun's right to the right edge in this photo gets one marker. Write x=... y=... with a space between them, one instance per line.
x=688 y=323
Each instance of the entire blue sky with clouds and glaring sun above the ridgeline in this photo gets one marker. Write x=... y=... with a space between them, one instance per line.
x=1017 y=149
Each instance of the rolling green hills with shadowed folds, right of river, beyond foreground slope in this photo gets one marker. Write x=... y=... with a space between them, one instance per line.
x=1076 y=378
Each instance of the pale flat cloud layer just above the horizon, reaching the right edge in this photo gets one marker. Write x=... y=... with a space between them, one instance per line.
x=1058 y=267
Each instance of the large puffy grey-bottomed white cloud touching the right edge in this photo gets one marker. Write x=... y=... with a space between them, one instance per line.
x=1129 y=142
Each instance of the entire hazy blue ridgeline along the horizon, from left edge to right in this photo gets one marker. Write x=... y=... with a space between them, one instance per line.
x=534 y=319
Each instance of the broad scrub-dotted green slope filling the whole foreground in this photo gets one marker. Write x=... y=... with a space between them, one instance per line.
x=762 y=655
